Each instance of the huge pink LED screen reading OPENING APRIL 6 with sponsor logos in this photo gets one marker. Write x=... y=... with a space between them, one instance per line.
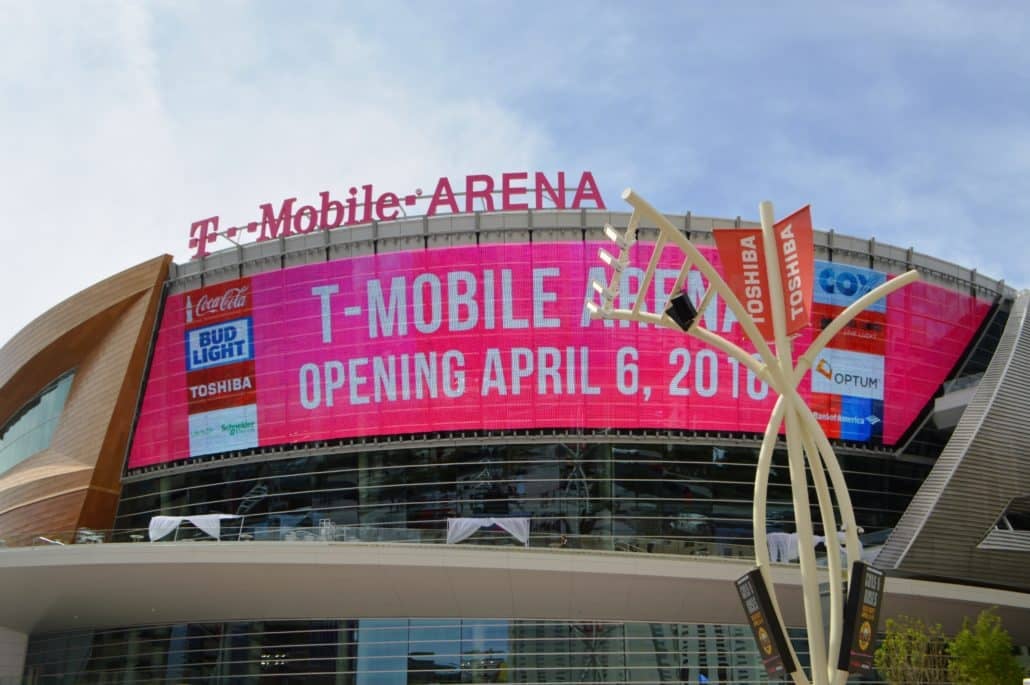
x=495 y=337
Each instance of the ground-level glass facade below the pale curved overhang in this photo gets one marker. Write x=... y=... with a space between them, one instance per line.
x=402 y=652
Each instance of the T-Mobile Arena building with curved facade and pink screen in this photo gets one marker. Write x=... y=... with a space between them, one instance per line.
x=399 y=452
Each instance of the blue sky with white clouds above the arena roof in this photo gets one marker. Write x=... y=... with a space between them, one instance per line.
x=123 y=123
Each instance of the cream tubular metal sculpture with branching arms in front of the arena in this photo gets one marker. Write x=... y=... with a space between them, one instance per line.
x=805 y=437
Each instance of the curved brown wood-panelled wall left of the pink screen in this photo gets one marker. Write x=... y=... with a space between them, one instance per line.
x=104 y=333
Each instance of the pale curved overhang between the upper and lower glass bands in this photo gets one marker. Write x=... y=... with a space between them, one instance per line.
x=47 y=590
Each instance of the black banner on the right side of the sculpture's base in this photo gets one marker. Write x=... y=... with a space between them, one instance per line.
x=862 y=618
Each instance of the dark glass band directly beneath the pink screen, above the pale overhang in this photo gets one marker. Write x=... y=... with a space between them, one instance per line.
x=657 y=498
